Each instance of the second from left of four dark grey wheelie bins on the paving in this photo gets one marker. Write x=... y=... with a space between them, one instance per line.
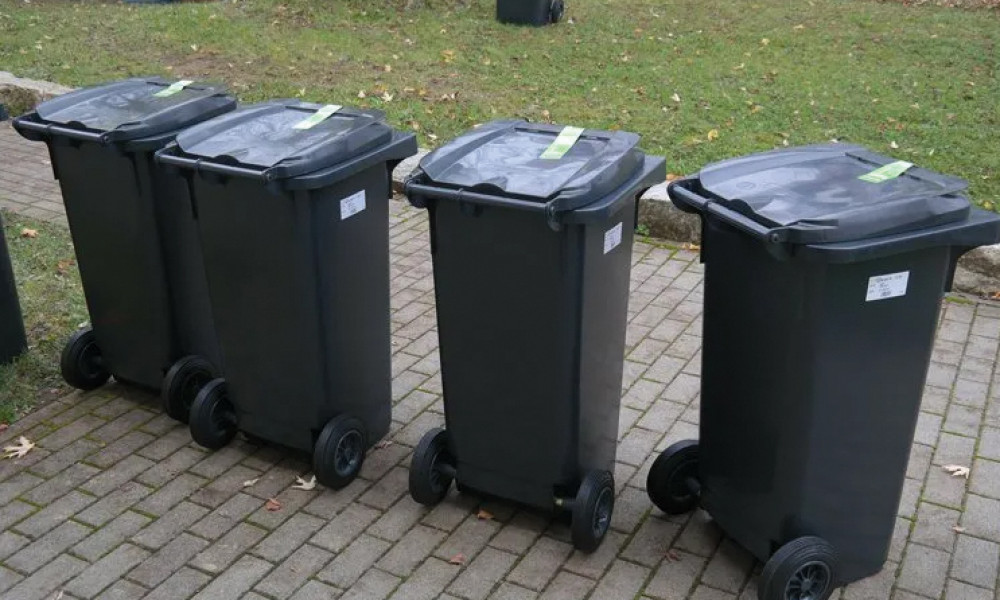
x=292 y=203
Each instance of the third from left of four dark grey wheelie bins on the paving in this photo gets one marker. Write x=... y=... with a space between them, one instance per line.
x=531 y=234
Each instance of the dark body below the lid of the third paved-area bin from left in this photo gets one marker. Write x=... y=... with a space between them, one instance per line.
x=518 y=320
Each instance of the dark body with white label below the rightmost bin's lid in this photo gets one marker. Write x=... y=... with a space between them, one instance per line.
x=810 y=394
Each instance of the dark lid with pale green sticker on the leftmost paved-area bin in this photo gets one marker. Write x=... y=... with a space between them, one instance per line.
x=137 y=108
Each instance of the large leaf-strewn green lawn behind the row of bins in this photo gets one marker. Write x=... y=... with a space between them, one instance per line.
x=919 y=82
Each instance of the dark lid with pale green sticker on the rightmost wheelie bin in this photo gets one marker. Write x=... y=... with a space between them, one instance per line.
x=834 y=192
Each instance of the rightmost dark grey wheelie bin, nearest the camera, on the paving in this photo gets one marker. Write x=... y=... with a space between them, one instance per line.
x=825 y=268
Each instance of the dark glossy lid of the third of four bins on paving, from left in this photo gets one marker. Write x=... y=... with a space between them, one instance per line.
x=506 y=157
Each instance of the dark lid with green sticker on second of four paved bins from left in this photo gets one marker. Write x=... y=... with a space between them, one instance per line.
x=287 y=137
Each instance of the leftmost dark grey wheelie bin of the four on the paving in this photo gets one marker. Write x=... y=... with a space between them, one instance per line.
x=133 y=232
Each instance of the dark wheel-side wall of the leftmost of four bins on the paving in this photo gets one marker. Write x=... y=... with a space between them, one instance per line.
x=110 y=208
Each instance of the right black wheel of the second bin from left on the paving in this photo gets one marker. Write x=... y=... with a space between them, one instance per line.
x=339 y=452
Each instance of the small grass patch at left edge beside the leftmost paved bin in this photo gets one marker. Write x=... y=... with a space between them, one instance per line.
x=53 y=306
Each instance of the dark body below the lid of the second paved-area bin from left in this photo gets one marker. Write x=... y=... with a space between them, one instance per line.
x=300 y=298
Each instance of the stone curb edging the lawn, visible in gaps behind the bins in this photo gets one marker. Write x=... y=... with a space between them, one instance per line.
x=978 y=271
